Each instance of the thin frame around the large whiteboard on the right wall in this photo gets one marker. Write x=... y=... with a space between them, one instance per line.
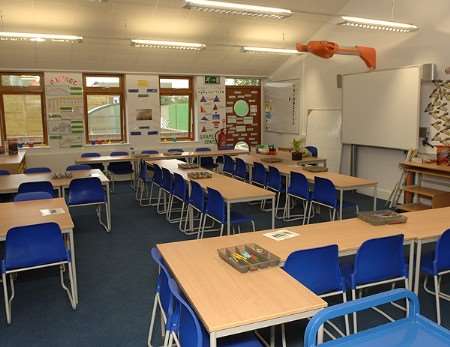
x=420 y=67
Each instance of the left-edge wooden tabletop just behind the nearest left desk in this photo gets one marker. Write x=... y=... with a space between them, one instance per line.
x=11 y=183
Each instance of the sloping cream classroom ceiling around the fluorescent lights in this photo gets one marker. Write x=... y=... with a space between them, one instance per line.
x=108 y=25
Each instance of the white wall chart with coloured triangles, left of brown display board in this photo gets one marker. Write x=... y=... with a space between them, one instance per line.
x=210 y=108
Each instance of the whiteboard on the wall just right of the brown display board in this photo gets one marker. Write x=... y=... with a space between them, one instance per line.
x=281 y=106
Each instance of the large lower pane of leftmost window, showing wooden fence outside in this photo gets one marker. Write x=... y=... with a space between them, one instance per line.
x=23 y=117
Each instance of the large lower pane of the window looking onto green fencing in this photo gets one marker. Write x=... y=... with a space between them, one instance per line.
x=175 y=116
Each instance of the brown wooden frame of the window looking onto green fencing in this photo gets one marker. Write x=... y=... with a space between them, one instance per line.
x=190 y=92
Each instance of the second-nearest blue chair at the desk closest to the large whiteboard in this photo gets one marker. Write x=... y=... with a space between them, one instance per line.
x=298 y=190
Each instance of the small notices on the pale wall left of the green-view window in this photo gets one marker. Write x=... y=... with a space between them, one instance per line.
x=143 y=109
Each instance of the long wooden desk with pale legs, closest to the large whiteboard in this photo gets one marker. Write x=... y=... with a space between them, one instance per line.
x=341 y=182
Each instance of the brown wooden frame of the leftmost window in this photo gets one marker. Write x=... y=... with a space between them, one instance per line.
x=16 y=90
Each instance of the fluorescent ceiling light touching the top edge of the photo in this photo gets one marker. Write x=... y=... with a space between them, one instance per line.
x=240 y=9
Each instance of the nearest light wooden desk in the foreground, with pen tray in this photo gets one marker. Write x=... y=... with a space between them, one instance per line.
x=229 y=302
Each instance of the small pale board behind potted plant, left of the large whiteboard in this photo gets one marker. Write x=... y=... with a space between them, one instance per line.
x=324 y=132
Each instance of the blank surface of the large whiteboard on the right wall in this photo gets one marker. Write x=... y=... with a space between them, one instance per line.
x=382 y=108
